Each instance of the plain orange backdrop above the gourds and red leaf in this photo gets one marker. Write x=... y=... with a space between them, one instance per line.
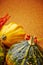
x=28 y=13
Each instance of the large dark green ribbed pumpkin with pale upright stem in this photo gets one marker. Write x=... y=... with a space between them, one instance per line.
x=24 y=53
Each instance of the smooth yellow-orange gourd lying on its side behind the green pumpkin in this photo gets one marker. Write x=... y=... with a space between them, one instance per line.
x=12 y=33
